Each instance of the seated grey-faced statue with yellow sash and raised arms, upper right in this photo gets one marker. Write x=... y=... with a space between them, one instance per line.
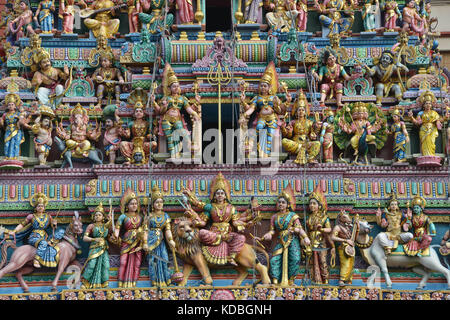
x=387 y=72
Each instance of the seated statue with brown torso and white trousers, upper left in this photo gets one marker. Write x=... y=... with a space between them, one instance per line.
x=46 y=80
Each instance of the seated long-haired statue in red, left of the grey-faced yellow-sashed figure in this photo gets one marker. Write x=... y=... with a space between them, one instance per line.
x=330 y=75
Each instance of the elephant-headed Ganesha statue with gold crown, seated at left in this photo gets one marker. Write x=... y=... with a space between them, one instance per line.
x=74 y=141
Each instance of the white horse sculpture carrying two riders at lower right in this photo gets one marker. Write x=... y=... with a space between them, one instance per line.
x=373 y=253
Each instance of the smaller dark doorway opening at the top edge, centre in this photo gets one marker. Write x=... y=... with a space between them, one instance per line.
x=218 y=15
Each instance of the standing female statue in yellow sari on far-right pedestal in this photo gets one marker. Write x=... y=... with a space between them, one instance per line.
x=429 y=122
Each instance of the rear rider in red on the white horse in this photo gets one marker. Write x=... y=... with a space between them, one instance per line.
x=421 y=226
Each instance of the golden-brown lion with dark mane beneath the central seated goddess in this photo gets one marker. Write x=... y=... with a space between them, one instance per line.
x=189 y=249
